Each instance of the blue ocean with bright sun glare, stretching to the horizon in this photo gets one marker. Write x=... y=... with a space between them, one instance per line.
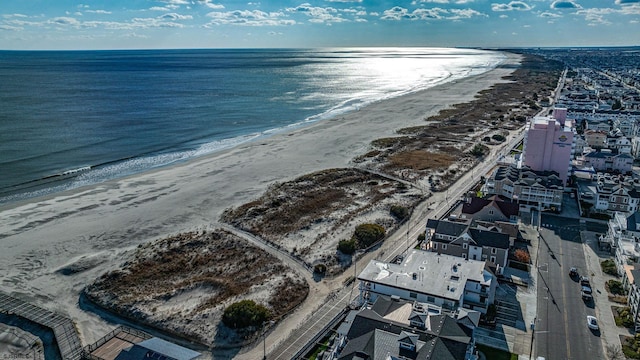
x=75 y=118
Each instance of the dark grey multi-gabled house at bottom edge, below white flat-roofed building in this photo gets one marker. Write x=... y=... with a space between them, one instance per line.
x=392 y=328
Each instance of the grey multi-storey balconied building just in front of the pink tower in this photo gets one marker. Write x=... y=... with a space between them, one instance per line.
x=530 y=189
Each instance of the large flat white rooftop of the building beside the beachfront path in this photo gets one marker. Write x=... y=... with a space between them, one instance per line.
x=444 y=276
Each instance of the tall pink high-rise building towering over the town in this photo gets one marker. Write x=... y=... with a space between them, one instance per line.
x=549 y=144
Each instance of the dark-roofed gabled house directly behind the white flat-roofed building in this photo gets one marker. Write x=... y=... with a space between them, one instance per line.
x=460 y=239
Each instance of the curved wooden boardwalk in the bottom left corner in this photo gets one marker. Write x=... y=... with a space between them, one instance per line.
x=63 y=328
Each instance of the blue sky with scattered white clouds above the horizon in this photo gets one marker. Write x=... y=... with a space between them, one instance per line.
x=166 y=24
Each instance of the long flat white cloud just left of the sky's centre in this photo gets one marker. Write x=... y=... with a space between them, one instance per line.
x=248 y=18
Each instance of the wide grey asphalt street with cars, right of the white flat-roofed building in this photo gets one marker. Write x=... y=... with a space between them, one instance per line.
x=561 y=326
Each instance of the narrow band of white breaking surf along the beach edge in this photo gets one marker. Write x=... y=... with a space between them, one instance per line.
x=73 y=177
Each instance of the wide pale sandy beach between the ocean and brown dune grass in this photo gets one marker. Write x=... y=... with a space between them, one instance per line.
x=54 y=246
